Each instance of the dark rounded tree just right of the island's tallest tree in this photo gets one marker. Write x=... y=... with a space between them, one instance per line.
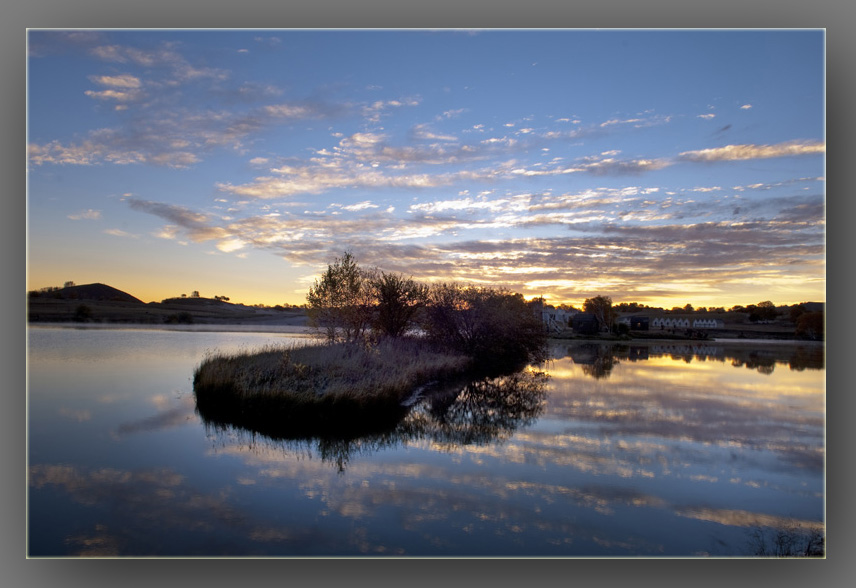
x=398 y=300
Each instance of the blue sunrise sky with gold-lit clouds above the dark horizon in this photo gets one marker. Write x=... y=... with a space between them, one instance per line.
x=663 y=167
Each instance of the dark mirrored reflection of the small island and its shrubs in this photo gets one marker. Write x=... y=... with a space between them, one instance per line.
x=482 y=411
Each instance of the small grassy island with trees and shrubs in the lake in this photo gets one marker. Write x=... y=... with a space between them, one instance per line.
x=386 y=337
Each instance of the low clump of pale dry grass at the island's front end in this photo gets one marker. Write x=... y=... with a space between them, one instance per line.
x=320 y=385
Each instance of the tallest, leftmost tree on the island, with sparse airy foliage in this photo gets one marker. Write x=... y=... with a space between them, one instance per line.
x=340 y=302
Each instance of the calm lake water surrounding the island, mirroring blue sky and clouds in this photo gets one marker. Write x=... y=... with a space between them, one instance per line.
x=636 y=451
